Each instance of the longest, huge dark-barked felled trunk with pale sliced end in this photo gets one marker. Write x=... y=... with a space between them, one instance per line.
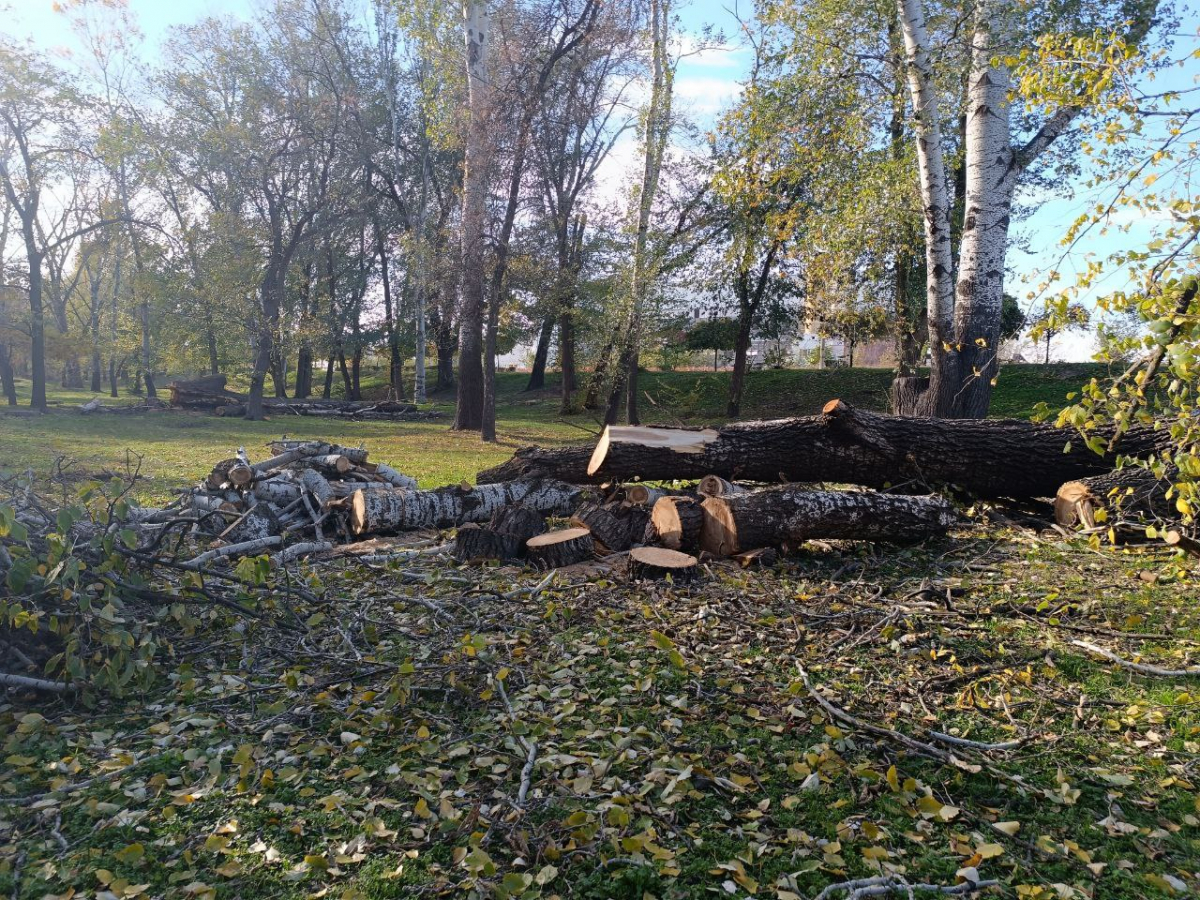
x=988 y=458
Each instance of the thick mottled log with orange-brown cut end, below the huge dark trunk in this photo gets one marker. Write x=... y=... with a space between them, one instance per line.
x=790 y=515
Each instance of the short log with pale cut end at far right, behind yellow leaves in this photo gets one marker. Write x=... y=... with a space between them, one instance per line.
x=1130 y=494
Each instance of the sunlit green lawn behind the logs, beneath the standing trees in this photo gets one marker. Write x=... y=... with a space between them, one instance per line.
x=179 y=448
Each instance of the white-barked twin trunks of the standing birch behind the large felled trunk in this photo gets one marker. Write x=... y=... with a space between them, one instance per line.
x=965 y=302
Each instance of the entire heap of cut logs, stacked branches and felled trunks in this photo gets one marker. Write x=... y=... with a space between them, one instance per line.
x=748 y=490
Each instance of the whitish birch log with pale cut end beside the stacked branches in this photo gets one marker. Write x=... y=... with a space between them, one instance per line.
x=398 y=511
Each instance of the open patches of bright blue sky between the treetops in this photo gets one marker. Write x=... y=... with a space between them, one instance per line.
x=706 y=83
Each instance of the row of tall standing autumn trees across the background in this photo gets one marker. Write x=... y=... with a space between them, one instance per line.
x=331 y=182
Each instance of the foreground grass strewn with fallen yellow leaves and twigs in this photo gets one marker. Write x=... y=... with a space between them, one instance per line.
x=406 y=728
